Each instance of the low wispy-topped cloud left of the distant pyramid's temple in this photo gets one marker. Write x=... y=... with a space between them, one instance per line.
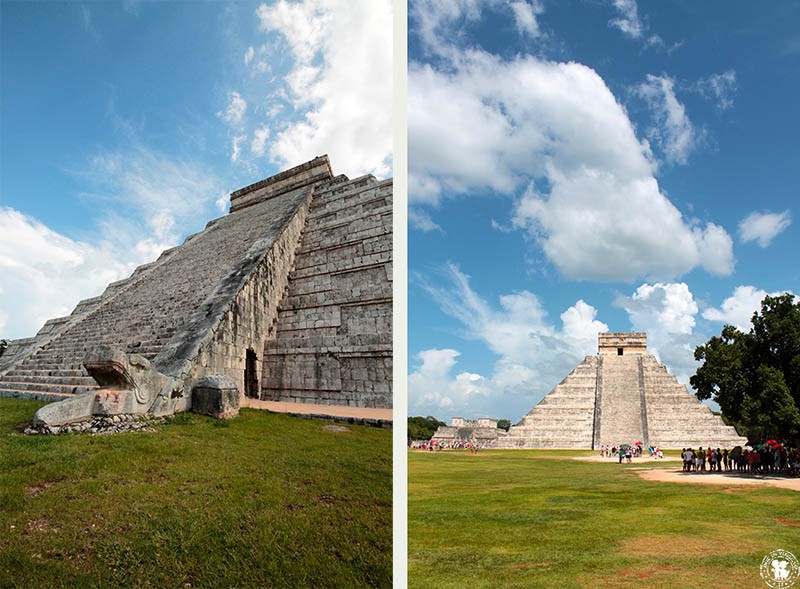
x=533 y=353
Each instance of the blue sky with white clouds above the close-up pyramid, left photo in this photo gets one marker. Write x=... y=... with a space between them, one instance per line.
x=125 y=125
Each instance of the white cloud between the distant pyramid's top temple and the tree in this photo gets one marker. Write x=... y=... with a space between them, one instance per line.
x=667 y=313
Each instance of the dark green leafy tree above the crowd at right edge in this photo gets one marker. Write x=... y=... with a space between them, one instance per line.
x=755 y=376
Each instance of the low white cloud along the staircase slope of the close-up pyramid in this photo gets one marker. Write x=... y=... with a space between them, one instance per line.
x=141 y=198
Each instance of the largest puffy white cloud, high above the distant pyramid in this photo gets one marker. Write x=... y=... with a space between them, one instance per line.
x=593 y=203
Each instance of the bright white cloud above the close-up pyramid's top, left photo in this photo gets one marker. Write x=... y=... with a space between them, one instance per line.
x=340 y=83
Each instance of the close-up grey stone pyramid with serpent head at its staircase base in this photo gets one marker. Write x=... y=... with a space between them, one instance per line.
x=289 y=295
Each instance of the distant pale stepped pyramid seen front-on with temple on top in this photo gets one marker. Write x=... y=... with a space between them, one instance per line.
x=621 y=395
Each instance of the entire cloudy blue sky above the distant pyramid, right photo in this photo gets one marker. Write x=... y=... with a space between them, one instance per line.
x=580 y=166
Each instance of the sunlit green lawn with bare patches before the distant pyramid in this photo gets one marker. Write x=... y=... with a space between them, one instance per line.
x=538 y=519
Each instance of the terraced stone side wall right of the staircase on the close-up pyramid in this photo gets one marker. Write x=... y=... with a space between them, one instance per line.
x=333 y=341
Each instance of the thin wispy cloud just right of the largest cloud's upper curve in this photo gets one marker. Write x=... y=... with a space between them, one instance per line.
x=673 y=131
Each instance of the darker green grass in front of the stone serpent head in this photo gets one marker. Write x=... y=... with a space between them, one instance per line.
x=263 y=500
